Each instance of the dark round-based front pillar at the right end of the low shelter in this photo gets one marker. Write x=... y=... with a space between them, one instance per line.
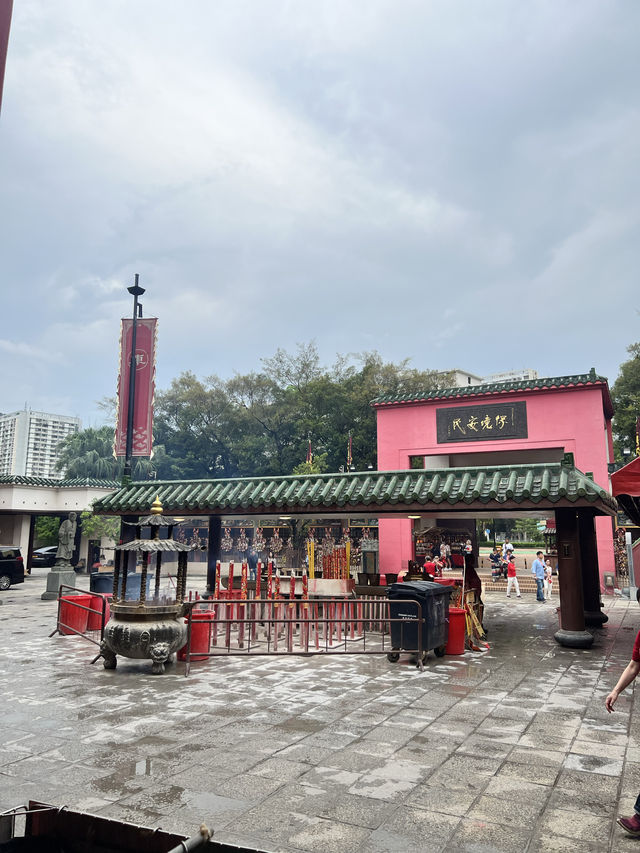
x=572 y=632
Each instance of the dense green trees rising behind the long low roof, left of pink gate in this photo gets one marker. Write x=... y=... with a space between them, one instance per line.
x=259 y=423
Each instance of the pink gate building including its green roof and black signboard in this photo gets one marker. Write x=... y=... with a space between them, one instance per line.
x=511 y=423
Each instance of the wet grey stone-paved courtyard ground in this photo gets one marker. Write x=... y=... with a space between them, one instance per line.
x=506 y=750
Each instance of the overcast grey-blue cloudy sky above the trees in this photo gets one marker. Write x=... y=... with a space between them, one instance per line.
x=453 y=182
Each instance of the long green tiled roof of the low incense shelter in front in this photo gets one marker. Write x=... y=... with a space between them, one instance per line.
x=533 y=486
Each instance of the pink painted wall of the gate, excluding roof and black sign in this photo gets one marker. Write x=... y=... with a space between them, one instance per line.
x=570 y=419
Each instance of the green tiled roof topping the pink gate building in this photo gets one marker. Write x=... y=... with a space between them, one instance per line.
x=501 y=388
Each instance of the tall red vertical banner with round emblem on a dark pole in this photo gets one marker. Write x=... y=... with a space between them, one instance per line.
x=144 y=389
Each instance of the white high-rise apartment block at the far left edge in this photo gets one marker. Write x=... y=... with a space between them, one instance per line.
x=29 y=442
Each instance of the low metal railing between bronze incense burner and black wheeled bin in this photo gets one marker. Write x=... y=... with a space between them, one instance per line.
x=300 y=627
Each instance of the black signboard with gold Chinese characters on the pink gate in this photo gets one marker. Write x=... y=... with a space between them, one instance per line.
x=482 y=423
